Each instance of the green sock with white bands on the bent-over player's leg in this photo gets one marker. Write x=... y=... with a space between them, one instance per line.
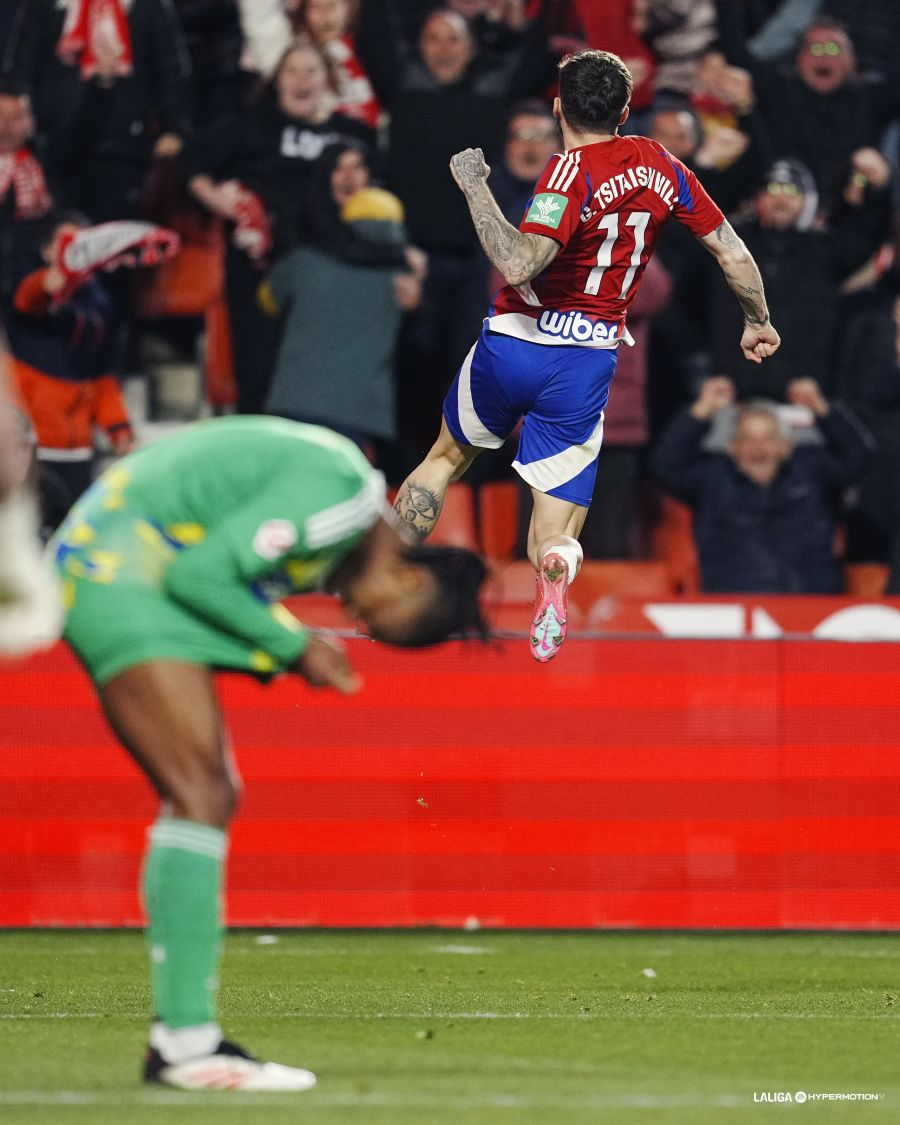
x=183 y=896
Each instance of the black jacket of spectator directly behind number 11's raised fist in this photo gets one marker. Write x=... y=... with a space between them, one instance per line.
x=430 y=122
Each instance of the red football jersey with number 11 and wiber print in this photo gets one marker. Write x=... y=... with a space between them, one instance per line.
x=605 y=204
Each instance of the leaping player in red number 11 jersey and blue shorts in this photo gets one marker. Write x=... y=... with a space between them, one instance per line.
x=547 y=353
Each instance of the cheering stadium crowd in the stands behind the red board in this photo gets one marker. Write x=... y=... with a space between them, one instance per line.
x=330 y=271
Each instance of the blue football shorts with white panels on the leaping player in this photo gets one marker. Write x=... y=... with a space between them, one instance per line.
x=560 y=392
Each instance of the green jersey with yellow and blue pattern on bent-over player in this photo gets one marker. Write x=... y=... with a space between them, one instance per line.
x=224 y=518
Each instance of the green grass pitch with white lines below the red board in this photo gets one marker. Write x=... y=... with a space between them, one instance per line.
x=442 y=1028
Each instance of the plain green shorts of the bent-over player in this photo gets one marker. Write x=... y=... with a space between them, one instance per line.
x=114 y=627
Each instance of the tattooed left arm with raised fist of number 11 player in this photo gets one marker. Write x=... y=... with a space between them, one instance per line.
x=516 y=256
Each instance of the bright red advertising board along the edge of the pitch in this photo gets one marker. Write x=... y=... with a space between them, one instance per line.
x=647 y=782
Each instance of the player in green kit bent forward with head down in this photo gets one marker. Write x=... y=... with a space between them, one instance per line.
x=173 y=565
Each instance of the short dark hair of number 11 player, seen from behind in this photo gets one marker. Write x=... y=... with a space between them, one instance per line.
x=595 y=88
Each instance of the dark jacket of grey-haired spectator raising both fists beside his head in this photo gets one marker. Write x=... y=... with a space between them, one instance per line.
x=766 y=541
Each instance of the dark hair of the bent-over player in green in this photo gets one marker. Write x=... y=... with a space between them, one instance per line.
x=456 y=611
